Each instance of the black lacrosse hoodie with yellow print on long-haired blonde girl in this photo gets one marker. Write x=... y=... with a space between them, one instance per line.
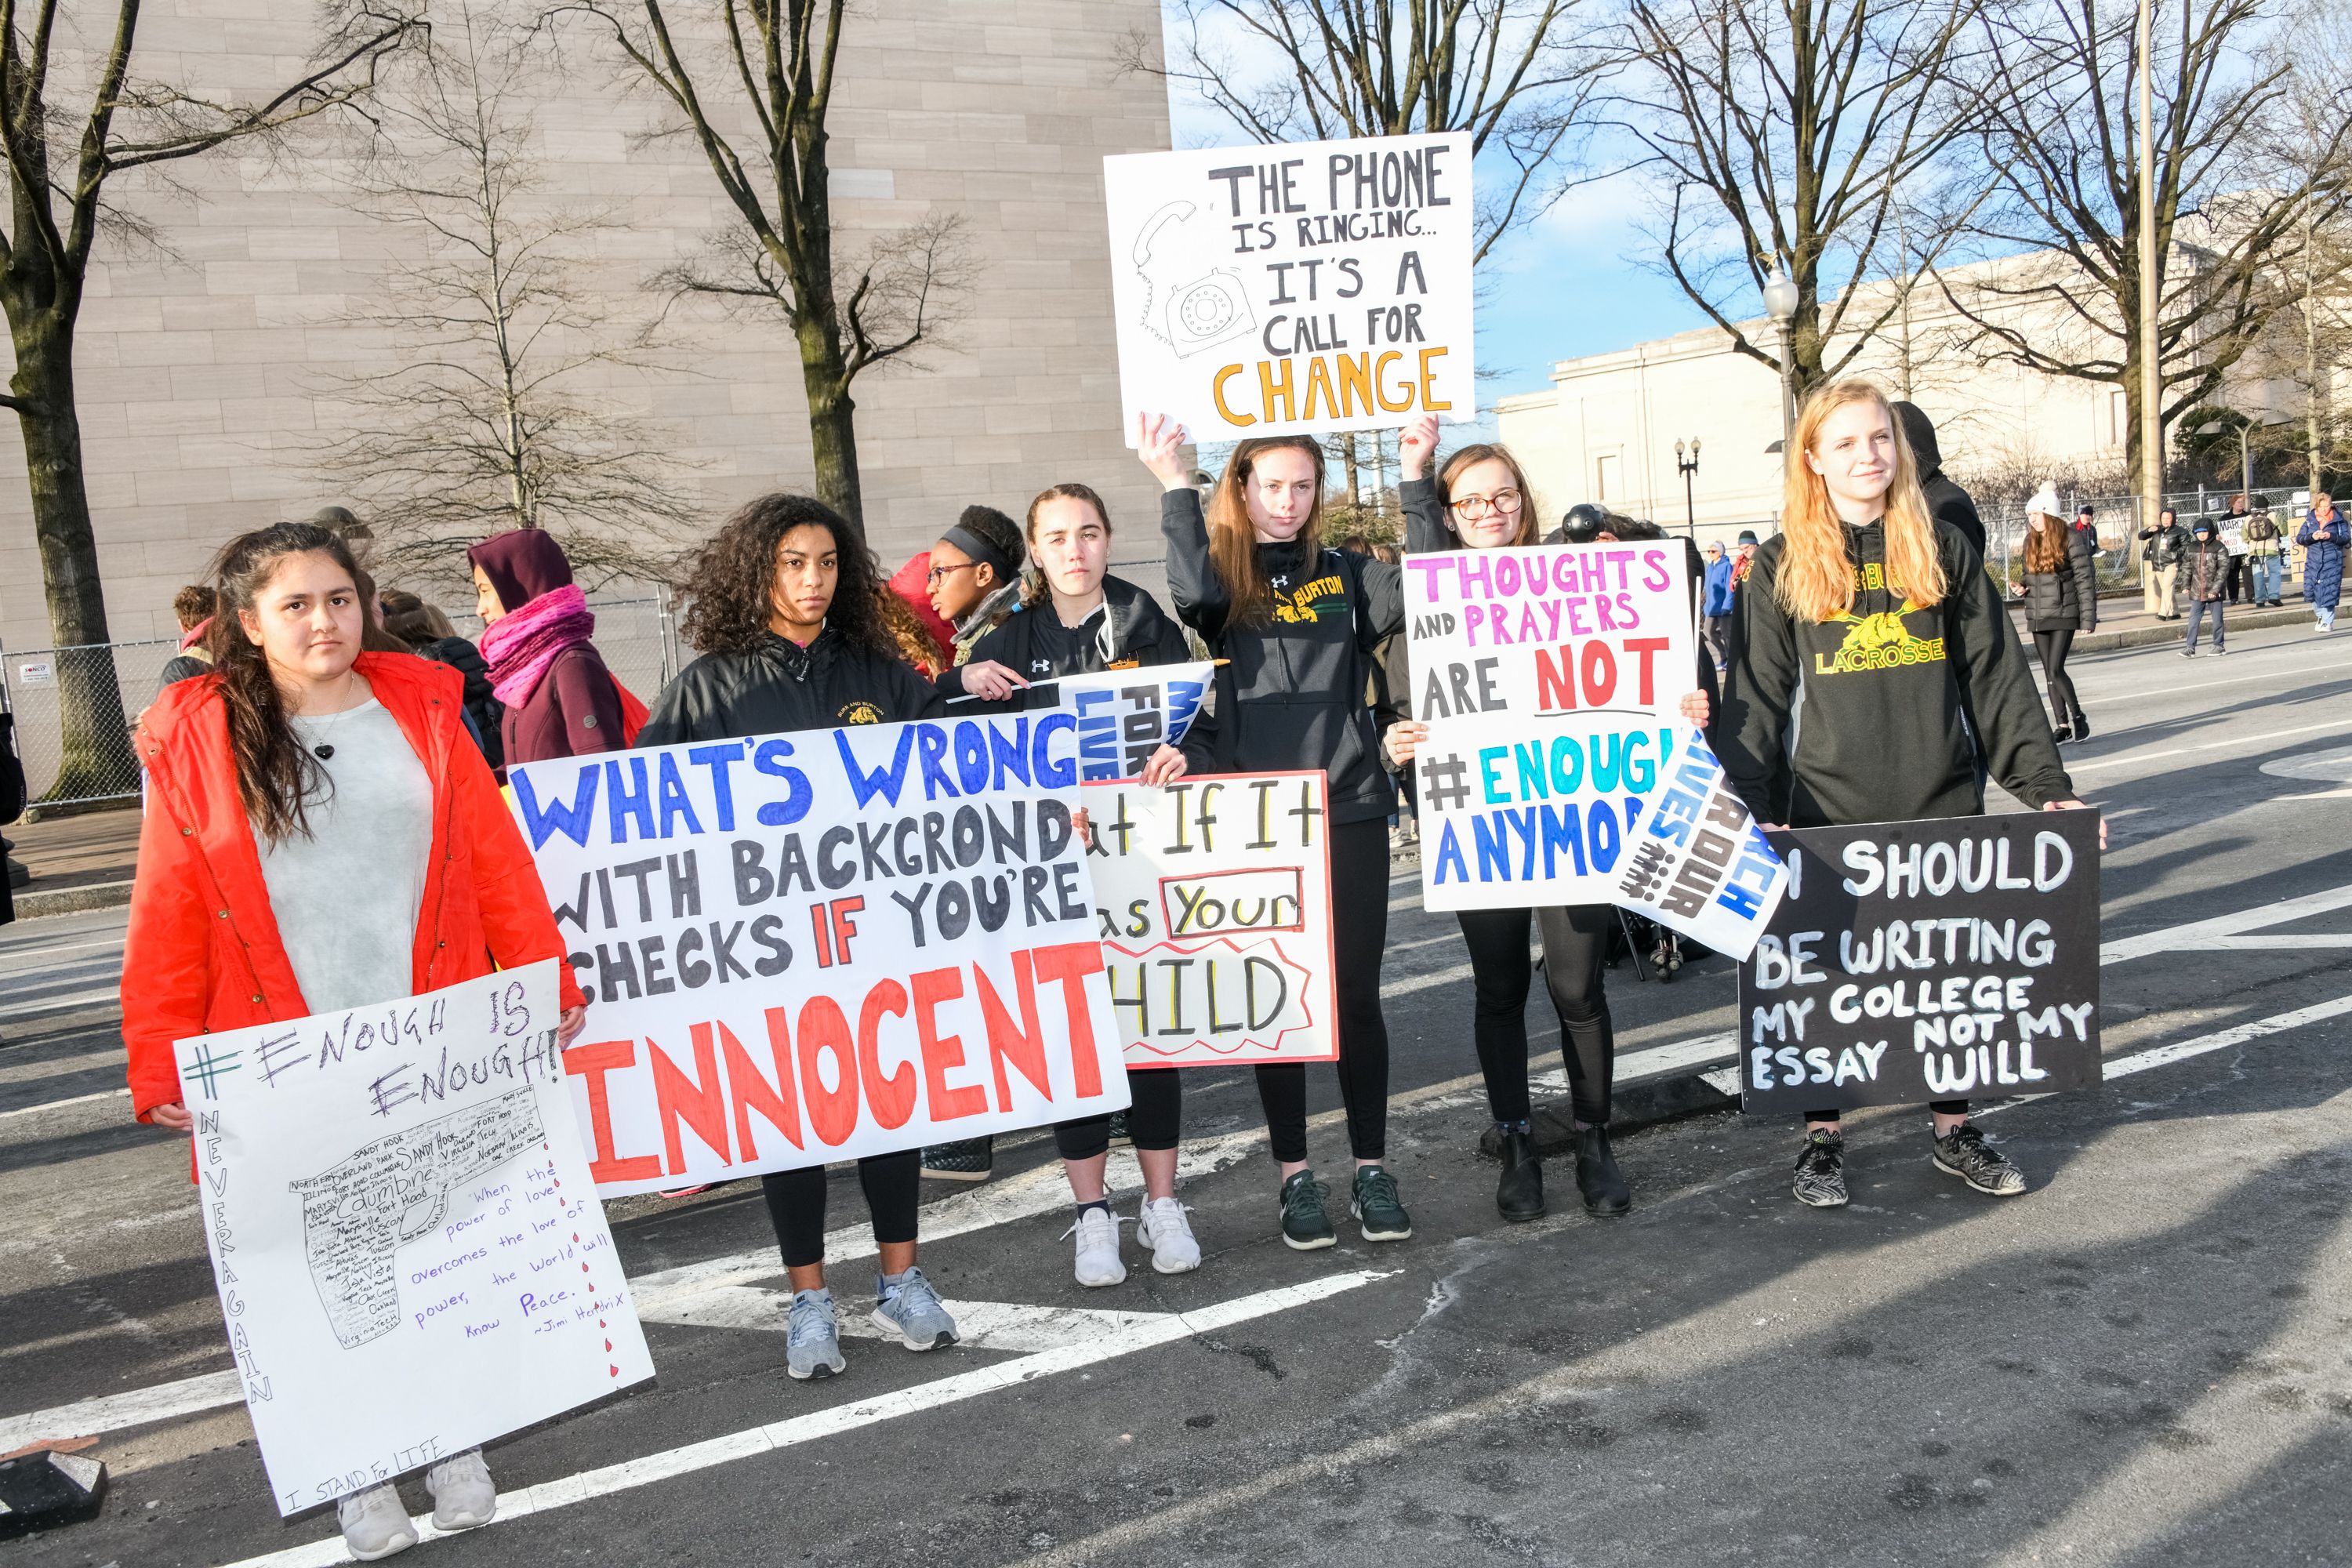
x=1869 y=718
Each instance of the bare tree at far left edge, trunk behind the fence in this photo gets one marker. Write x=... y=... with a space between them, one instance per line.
x=76 y=116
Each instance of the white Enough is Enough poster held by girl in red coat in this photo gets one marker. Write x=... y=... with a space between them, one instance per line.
x=403 y=1228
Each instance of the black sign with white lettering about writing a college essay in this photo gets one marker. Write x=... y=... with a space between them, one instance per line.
x=1927 y=963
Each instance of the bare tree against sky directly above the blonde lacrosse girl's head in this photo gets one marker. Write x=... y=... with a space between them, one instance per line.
x=1803 y=140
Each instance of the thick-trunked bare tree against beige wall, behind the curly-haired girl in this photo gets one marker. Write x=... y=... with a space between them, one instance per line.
x=848 y=314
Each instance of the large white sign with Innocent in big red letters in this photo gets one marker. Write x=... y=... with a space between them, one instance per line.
x=822 y=946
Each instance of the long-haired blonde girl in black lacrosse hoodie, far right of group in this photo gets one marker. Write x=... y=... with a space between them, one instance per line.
x=1885 y=631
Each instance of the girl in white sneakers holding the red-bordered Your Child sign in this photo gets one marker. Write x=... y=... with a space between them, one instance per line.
x=1078 y=619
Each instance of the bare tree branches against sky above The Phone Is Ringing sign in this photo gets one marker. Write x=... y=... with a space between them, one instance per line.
x=1506 y=72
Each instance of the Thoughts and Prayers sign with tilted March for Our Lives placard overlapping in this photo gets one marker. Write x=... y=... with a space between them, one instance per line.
x=1551 y=681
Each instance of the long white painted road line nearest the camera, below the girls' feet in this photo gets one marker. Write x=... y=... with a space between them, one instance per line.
x=1158 y=1329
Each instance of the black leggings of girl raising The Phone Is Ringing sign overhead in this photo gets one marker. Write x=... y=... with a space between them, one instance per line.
x=1358 y=939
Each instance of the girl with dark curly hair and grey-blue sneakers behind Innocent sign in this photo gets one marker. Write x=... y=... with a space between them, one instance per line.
x=789 y=626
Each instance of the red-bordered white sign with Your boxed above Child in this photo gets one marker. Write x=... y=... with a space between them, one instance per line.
x=1215 y=904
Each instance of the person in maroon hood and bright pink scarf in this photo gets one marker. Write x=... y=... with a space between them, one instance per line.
x=561 y=699
